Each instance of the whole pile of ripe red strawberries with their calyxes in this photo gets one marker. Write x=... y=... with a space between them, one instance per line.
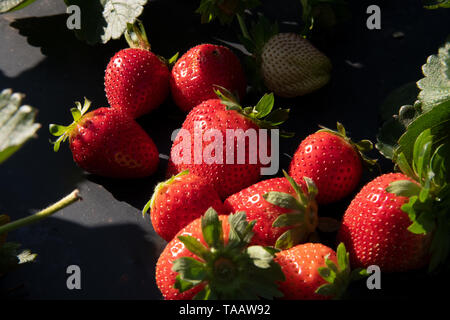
x=230 y=235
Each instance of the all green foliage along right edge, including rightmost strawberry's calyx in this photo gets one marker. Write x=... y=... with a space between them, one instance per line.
x=417 y=139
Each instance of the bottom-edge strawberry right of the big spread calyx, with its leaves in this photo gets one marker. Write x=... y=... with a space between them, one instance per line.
x=314 y=271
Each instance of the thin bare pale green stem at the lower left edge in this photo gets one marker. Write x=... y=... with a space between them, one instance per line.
x=64 y=202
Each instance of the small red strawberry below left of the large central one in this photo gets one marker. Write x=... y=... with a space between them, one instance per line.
x=180 y=200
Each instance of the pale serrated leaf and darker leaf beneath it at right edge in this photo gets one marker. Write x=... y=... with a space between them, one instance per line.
x=398 y=134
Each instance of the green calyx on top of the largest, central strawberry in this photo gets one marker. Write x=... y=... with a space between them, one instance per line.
x=262 y=113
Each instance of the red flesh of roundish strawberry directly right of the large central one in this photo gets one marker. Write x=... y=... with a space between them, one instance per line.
x=331 y=162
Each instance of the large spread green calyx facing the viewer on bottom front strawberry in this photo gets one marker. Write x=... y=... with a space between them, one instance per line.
x=232 y=270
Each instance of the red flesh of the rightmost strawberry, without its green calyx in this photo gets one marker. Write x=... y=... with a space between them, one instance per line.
x=374 y=229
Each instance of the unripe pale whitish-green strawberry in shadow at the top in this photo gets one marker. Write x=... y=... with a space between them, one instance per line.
x=291 y=66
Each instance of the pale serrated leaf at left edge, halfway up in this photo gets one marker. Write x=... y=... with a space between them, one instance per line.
x=16 y=123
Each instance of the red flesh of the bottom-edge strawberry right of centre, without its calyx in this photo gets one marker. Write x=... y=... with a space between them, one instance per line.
x=300 y=267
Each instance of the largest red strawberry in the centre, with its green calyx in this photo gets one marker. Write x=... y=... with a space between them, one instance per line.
x=220 y=117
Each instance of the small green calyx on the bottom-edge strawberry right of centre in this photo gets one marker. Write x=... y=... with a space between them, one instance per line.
x=338 y=277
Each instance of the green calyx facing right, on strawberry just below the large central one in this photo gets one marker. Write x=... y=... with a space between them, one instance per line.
x=303 y=216
